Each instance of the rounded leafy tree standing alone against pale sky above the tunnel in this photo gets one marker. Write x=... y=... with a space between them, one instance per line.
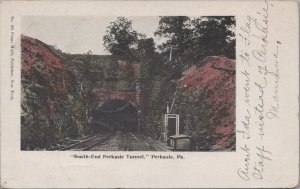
x=120 y=38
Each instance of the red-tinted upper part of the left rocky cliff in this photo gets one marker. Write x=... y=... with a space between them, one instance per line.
x=43 y=67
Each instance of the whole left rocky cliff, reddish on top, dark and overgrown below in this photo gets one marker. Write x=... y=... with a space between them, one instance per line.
x=48 y=94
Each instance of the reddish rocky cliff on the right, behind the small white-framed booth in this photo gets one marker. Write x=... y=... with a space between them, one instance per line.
x=214 y=77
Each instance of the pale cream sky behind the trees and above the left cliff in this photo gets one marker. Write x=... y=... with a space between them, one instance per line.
x=77 y=35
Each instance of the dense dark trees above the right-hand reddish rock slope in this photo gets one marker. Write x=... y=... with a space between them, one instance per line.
x=197 y=38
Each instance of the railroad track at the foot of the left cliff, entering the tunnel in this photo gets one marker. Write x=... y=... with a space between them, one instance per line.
x=87 y=144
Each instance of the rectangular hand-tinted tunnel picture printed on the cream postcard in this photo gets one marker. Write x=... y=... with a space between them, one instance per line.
x=148 y=83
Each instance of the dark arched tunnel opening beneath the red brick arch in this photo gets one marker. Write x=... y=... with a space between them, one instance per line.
x=115 y=115
